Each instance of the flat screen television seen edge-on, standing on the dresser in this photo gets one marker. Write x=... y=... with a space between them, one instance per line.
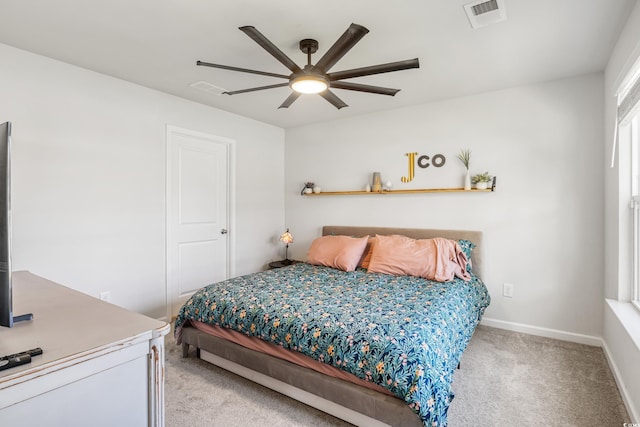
x=7 y=318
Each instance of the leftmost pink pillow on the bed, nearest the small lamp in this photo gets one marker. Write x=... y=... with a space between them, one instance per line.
x=341 y=252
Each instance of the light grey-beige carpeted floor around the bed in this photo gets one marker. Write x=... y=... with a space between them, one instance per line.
x=506 y=379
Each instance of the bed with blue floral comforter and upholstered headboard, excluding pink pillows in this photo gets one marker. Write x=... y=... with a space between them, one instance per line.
x=369 y=348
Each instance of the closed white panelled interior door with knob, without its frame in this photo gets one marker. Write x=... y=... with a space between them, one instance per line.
x=197 y=213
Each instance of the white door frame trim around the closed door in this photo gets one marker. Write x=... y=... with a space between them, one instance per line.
x=231 y=202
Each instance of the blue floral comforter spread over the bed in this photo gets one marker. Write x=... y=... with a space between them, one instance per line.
x=404 y=333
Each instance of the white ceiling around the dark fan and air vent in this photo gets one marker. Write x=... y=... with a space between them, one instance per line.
x=156 y=43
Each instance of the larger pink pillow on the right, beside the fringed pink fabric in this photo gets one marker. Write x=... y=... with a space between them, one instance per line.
x=401 y=255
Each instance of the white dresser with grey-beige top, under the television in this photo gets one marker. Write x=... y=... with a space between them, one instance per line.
x=101 y=365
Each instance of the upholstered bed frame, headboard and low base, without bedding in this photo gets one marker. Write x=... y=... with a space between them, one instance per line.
x=352 y=403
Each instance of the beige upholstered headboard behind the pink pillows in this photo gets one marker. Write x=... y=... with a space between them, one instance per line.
x=415 y=233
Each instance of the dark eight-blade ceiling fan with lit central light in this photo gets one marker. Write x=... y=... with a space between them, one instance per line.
x=317 y=78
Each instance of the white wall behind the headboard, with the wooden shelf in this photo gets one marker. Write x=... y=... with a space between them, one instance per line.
x=543 y=227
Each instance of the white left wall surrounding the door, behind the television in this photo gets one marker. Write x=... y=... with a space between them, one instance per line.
x=89 y=178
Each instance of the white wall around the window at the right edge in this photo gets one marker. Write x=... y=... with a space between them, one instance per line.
x=621 y=331
